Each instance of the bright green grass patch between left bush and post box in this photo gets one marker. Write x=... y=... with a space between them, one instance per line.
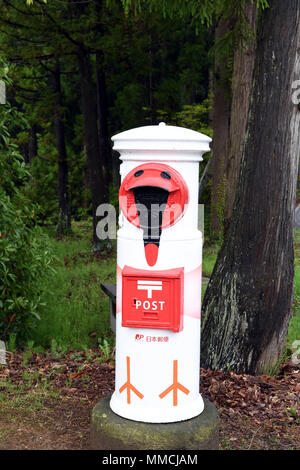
x=76 y=311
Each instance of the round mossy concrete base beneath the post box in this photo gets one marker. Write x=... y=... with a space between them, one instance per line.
x=111 y=432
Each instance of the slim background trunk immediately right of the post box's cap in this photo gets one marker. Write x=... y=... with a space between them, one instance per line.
x=221 y=121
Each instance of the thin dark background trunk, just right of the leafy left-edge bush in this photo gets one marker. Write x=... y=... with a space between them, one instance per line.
x=64 y=222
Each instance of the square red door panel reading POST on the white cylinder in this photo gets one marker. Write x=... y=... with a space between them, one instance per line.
x=152 y=299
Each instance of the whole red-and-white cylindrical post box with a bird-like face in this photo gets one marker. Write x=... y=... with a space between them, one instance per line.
x=158 y=275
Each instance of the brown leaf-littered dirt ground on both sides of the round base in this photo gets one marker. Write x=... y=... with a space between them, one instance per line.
x=46 y=403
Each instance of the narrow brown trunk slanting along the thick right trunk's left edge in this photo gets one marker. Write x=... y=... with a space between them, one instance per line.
x=243 y=66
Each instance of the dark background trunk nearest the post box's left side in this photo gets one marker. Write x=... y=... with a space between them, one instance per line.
x=95 y=161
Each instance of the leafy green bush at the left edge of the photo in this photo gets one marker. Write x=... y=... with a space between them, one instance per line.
x=24 y=254
